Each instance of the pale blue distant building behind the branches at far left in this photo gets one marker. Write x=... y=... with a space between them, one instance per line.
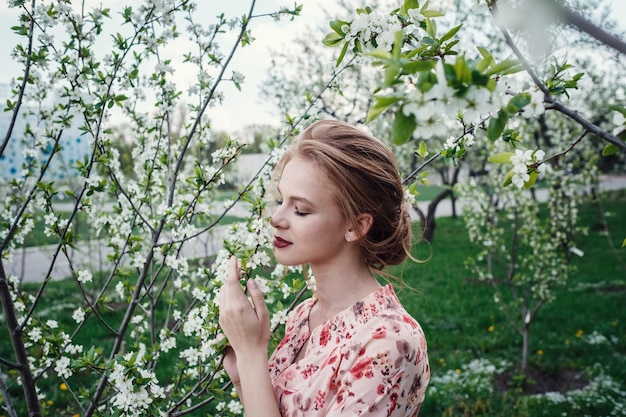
x=74 y=146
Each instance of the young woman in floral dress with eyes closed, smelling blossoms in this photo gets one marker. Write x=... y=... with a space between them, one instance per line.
x=351 y=349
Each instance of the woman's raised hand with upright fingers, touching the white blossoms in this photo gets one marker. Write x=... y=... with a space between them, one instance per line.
x=245 y=324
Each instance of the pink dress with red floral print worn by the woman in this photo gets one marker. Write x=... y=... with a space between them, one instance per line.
x=368 y=360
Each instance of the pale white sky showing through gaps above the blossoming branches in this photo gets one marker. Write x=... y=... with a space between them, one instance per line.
x=245 y=107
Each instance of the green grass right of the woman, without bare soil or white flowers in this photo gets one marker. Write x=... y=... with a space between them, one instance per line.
x=462 y=322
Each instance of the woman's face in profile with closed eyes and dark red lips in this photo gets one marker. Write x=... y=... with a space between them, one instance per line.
x=309 y=226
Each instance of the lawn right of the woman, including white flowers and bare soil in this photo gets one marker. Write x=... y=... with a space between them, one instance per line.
x=578 y=342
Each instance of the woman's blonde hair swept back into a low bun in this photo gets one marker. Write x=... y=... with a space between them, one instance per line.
x=363 y=174
